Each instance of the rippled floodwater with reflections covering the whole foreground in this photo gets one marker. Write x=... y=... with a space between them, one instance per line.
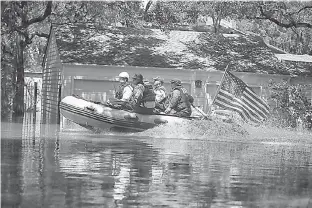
x=163 y=167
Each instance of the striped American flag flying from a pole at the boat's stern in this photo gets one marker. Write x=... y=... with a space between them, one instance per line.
x=235 y=95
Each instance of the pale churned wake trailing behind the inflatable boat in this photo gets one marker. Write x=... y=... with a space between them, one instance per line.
x=229 y=132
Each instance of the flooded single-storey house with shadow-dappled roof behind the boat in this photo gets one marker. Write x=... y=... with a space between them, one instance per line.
x=85 y=60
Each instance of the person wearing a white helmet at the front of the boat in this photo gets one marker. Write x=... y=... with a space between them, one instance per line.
x=124 y=90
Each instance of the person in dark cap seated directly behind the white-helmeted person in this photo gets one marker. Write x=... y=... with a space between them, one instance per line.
x=138 y=91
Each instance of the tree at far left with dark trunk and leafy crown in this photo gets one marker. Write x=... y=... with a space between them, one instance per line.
x=17 y=21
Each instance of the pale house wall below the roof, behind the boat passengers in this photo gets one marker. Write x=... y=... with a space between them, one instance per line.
x=97 y=82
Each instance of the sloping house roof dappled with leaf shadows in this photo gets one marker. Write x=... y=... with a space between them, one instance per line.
x=87 y=44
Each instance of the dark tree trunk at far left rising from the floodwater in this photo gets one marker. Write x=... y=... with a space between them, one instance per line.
x=18 y=101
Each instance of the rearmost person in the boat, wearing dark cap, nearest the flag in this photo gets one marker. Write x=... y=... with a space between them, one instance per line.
x=178 y=101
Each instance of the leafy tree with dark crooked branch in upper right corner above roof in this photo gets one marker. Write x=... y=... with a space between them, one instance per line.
x=286 y=25
